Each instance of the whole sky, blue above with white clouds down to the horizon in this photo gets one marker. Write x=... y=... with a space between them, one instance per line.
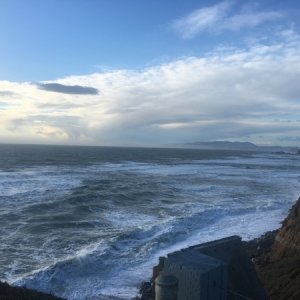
x=149 y=72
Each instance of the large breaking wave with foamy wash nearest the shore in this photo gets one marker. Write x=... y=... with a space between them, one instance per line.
x=103 y=269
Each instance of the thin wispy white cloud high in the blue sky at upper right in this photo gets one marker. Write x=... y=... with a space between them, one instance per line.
x=222 y=17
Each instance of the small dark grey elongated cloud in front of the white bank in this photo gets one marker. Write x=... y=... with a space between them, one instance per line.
x=67 y=89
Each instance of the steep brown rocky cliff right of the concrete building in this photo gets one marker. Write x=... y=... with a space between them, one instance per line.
x=279 y=269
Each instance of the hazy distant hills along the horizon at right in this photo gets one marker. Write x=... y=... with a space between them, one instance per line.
x=245 y=146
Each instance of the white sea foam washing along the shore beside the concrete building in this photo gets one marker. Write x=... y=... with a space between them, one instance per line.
x=249 y=226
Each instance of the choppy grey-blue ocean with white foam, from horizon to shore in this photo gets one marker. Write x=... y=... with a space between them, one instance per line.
x=90 y=222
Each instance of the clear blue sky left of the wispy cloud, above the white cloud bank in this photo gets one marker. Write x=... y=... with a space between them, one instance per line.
x=49 y=39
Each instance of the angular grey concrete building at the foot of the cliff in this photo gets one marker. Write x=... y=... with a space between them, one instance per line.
x=216 y=270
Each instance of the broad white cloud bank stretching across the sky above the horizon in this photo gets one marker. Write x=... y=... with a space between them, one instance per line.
x=233 y=94
